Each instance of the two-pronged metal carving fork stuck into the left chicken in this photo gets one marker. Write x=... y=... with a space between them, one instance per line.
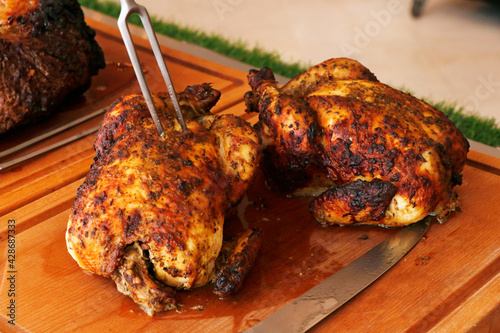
x=129 y=7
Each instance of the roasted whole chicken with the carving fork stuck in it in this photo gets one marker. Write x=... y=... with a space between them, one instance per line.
x=150 y=213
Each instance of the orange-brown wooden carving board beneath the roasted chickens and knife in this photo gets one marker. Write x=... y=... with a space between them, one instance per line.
x=450 y=282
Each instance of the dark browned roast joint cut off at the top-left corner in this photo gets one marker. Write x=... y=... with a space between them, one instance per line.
x=48 y=54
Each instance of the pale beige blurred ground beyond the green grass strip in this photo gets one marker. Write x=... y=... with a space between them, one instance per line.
x=446 y=50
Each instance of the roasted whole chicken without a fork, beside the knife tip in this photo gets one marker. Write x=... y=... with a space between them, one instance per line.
x=370 y=153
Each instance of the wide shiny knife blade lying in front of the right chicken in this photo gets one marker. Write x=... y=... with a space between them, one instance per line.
x=316 y=304
